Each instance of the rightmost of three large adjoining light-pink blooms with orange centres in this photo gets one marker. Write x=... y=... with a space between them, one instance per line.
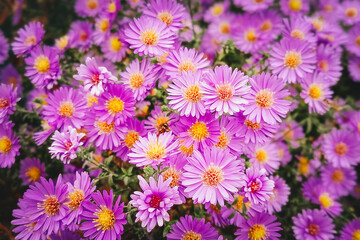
x=266 y=99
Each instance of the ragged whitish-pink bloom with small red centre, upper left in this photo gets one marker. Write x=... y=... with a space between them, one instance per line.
x=94 y=76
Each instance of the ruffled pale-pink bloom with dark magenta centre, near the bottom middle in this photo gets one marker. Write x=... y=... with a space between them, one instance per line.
x=154 y=202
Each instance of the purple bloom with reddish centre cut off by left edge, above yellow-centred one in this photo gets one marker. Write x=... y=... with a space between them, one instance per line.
x=8 y=100
